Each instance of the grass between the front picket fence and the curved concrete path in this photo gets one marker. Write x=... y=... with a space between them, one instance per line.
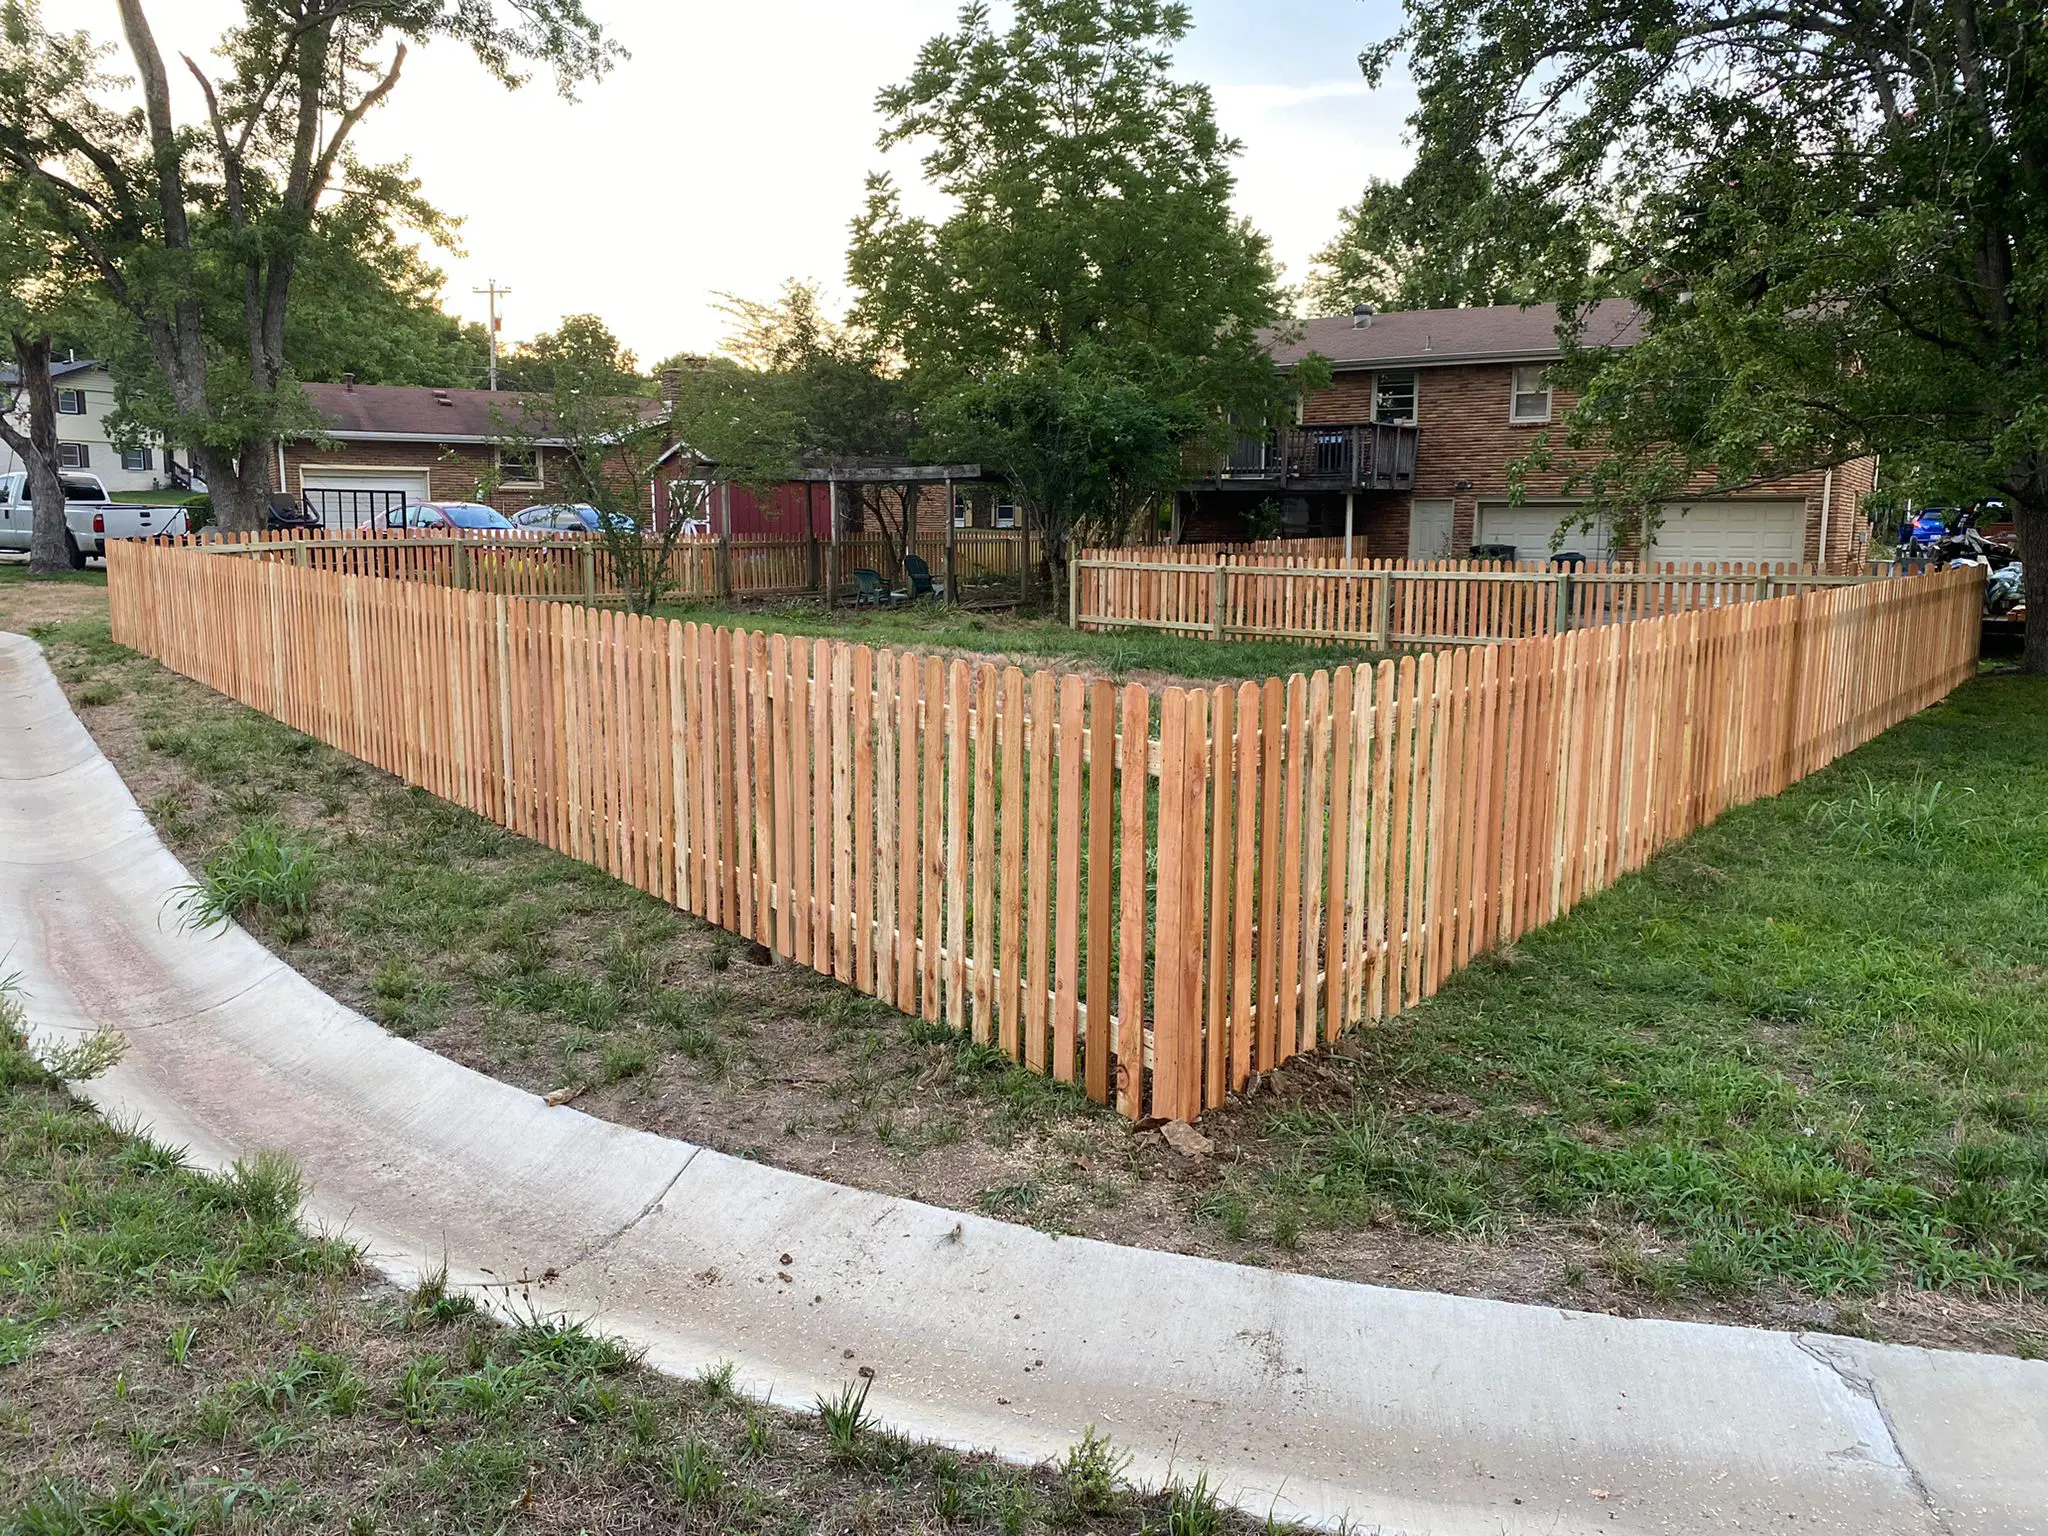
x=1799 y=1060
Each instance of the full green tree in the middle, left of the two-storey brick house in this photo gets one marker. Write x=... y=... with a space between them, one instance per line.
x=1093 y=212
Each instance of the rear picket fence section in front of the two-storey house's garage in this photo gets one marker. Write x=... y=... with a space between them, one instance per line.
x=1222 y=595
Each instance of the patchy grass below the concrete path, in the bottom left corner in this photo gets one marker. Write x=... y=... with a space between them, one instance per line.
x=179 y=1359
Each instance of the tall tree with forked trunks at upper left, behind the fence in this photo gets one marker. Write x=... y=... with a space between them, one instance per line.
x=169 y=216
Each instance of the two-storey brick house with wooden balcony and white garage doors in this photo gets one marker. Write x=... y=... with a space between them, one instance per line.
x=1424 y=415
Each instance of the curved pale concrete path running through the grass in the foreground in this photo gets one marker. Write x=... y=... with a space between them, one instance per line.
x=1402 y=1412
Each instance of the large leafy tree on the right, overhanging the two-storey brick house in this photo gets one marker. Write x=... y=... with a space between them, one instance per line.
x=1834 y=214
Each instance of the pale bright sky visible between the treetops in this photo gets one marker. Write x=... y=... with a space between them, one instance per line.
x=730 y=151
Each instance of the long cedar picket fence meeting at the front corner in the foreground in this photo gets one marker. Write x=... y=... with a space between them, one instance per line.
x=1150 y=896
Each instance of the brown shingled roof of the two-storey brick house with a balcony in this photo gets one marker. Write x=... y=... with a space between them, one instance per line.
x=1486 y=335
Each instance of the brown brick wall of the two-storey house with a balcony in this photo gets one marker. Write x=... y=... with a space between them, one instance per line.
x=1465 y=435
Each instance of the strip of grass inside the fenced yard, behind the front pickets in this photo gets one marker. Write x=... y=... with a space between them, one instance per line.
x=1029 y=640
